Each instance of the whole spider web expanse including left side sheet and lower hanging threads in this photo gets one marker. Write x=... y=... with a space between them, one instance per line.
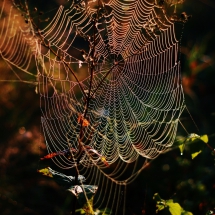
x=112 y=63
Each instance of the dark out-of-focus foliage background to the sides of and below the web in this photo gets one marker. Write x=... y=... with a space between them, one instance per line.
x=189 y=182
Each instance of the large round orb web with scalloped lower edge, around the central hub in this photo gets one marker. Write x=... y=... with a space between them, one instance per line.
x=136 y=91
